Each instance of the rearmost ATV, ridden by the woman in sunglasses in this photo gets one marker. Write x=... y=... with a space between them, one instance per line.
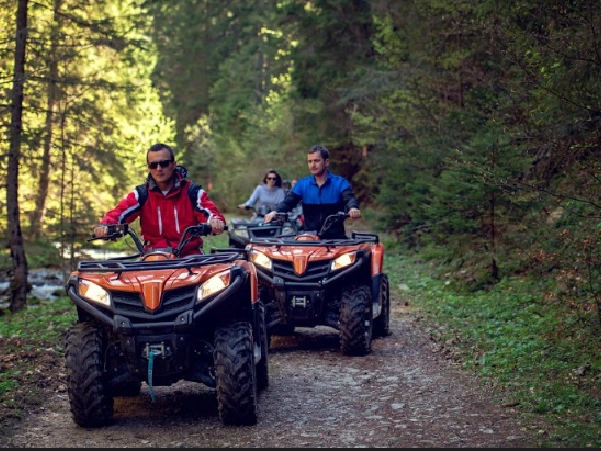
x=242 y=231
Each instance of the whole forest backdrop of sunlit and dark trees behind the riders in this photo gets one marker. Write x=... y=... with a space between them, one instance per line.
x=468 y=129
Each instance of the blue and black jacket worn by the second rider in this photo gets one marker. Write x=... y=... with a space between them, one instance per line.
x=321 y=201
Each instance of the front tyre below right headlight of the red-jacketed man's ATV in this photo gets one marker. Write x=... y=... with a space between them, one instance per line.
x=236 y=375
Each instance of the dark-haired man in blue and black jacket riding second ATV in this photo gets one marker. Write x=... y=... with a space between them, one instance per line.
x=322 y=194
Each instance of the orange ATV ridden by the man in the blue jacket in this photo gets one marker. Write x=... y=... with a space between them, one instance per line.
x=306 y=281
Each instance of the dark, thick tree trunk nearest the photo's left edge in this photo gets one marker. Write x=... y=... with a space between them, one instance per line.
x=18 y=285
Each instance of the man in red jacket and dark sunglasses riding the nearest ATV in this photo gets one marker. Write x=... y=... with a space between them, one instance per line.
x=166 y=204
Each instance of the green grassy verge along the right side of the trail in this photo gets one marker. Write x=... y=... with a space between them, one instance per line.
x=541 y=355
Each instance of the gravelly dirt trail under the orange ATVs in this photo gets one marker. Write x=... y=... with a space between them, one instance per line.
x=401 y=395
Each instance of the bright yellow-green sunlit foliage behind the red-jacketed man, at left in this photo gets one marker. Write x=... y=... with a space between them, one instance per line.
x=89 y=114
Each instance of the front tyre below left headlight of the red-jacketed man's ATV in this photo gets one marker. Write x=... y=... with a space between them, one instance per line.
x=90 y=400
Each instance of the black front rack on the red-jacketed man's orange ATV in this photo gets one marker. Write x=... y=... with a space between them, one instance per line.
x=142 y=265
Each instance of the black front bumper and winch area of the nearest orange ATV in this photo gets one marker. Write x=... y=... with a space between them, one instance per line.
x=178 y=345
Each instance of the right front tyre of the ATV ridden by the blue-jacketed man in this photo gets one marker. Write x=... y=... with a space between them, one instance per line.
x=355 y=322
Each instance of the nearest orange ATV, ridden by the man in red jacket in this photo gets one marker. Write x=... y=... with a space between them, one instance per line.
x=159 y=318
